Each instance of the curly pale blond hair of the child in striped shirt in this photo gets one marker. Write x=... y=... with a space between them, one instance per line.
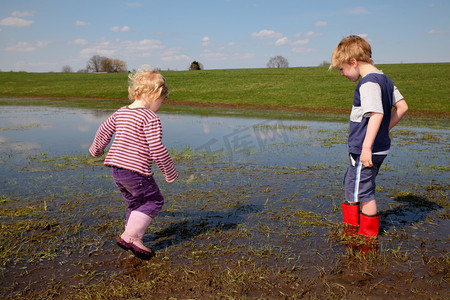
x=146 y=81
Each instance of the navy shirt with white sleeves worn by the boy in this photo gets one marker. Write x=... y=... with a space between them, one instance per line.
x=375 y=92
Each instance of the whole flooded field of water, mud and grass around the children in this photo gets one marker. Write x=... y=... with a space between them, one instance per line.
x=255 y=212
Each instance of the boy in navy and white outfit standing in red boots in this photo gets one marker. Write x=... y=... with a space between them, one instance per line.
x=371 y=119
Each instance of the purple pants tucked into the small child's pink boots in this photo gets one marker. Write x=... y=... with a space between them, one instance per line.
x=140 y=192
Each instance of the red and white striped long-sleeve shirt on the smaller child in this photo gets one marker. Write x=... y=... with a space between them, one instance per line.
x=137 y=142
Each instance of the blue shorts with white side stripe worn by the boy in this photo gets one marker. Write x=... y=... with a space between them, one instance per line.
x=359 y=181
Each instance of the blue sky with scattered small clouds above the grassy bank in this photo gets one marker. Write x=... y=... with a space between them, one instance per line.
x=45 y=35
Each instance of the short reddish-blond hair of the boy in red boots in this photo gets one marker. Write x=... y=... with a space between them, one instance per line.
x=351 y=47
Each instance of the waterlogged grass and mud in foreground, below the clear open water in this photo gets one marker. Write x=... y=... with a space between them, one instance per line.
x=228 y=229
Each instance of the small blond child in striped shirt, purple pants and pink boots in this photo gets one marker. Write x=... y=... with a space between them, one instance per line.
x=136 y=145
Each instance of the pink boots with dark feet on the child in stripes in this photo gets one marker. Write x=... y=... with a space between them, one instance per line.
x=134 y=232
